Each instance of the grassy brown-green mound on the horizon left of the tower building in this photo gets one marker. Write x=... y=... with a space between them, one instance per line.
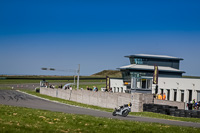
x=110 y=73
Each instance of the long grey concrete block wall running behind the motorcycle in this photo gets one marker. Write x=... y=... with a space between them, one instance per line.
x=102 y=99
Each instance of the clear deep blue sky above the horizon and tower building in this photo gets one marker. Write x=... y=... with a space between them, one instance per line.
x=95 y=34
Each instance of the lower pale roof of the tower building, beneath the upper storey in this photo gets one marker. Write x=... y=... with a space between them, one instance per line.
x=151 y=68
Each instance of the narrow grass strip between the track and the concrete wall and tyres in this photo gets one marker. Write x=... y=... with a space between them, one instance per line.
x=142 y=114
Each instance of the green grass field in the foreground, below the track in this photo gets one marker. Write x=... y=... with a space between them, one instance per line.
x=25 y=120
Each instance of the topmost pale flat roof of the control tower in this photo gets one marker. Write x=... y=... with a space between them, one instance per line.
x=154 y=56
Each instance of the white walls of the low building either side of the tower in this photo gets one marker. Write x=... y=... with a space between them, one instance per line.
x=171 y=84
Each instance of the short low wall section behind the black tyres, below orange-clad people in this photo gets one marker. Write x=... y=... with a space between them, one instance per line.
x=180 y=105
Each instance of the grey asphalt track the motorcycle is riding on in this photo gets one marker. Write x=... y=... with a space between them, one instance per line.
x=16 y=98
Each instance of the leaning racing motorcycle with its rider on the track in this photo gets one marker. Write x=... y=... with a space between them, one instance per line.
x=122 y=110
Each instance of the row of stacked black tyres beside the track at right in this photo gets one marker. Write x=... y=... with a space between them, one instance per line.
x=171 y=110
